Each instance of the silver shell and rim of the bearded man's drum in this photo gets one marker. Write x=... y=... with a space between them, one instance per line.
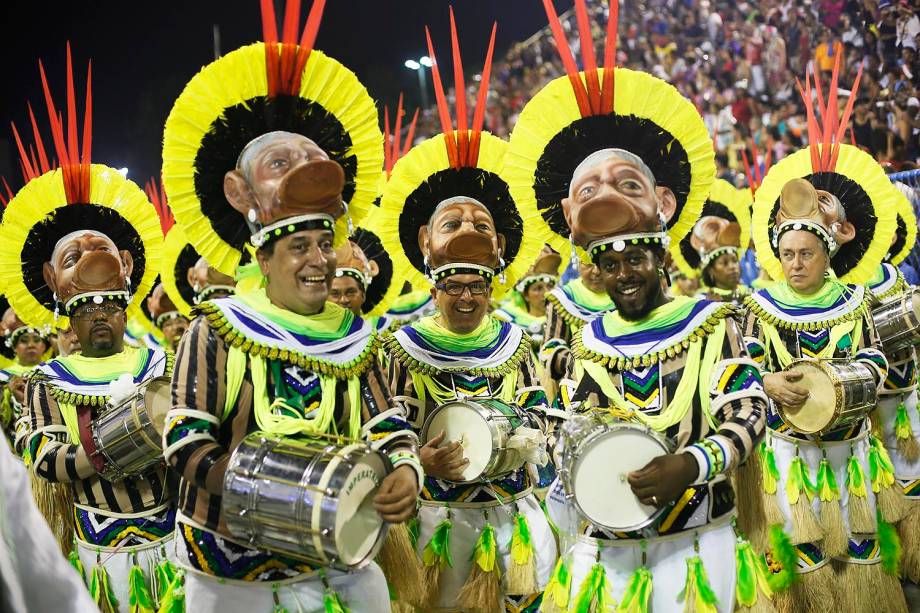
x=582 y=433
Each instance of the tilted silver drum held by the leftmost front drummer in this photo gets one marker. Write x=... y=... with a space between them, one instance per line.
x=129 y=435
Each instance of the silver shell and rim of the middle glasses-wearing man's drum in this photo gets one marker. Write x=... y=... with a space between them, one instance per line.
x=502 y=420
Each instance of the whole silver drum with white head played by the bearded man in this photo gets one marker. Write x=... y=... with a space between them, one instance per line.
x=597 y=457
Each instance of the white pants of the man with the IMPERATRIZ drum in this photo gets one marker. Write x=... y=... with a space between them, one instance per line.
x=363 y=591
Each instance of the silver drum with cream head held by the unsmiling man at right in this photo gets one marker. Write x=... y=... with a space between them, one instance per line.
x=840 y=392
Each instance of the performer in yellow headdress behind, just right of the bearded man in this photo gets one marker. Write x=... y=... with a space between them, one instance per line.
x=713 y=249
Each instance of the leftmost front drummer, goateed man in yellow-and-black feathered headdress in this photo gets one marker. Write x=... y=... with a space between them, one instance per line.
x=69 y=260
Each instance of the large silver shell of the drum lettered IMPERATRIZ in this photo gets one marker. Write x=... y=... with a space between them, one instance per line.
x=271 y=489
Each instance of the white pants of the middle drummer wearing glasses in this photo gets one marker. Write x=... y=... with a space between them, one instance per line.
x=466 y=524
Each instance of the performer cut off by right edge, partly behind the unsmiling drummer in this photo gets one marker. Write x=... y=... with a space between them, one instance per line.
x=897 y=421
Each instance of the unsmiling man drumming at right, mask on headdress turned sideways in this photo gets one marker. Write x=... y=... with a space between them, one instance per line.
x=823 y=492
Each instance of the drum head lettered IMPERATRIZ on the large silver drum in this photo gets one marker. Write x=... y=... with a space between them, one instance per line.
x=357 y=524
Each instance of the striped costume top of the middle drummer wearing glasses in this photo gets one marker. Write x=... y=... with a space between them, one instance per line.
x=424 y=374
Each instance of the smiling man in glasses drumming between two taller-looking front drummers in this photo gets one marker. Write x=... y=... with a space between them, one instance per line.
x=471 y=242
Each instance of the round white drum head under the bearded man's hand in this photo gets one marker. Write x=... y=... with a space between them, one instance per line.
x=601 y=490
